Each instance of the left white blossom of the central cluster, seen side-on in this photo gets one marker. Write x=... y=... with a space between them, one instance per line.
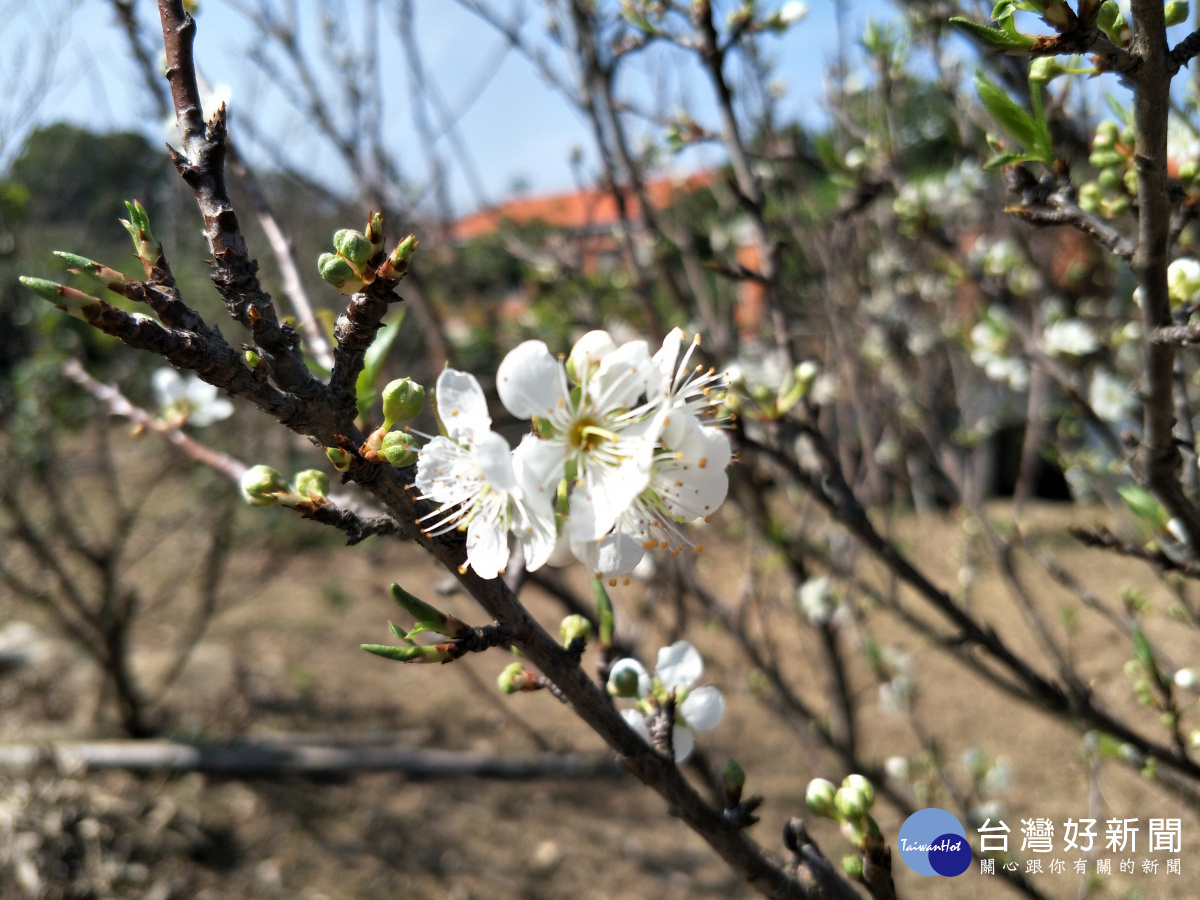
x=483 y=487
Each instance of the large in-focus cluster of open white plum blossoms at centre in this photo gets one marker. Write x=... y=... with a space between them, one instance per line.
x=623 y=452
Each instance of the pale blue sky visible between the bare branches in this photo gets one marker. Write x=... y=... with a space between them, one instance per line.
x=517 y=128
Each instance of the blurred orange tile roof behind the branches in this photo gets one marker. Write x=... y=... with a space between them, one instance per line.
x=591 y=208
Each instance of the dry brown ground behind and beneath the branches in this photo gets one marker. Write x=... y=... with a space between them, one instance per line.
x=283 y=657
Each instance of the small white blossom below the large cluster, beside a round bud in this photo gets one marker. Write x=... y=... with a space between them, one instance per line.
x=679 y=668
